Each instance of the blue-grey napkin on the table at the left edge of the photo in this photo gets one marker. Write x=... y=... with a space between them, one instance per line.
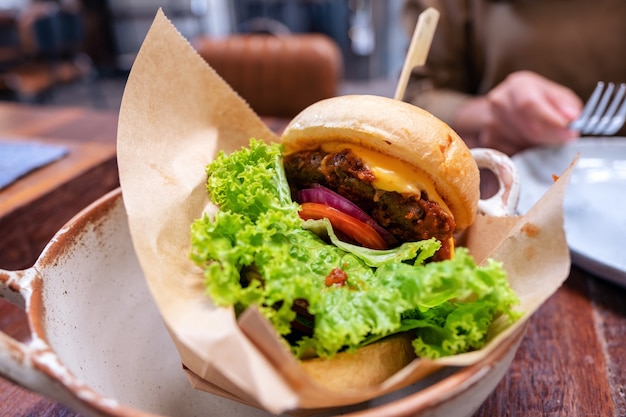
x=18 y=158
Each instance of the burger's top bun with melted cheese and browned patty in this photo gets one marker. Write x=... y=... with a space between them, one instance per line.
x=407 y=169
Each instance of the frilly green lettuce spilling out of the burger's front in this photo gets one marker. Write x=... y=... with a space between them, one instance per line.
x=257 y=251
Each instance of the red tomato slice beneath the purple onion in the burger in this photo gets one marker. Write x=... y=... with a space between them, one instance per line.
x=361 y=232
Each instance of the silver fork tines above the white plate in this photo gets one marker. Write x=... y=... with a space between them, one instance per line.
x=595 y=118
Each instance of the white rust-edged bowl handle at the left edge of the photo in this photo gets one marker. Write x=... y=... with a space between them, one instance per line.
x=19 y=362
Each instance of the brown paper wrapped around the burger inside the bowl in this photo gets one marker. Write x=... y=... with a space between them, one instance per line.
x=176 y=114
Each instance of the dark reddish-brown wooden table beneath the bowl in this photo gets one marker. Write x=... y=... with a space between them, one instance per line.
x=570 y=363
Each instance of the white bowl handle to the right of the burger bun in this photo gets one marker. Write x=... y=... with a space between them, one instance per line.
x=504 y=201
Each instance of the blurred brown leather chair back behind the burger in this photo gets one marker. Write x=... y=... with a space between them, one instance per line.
x=278 y=75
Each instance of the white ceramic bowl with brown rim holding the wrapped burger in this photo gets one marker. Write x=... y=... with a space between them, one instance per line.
x=99 y=345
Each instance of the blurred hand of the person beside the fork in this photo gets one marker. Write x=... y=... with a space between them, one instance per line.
x=524 y=110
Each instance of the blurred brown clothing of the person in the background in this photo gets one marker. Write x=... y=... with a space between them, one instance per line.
x=478 y=43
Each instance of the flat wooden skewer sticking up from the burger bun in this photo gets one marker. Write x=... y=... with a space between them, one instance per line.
x=418 y=48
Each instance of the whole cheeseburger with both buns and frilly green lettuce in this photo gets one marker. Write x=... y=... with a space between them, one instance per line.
x=342 y=235
